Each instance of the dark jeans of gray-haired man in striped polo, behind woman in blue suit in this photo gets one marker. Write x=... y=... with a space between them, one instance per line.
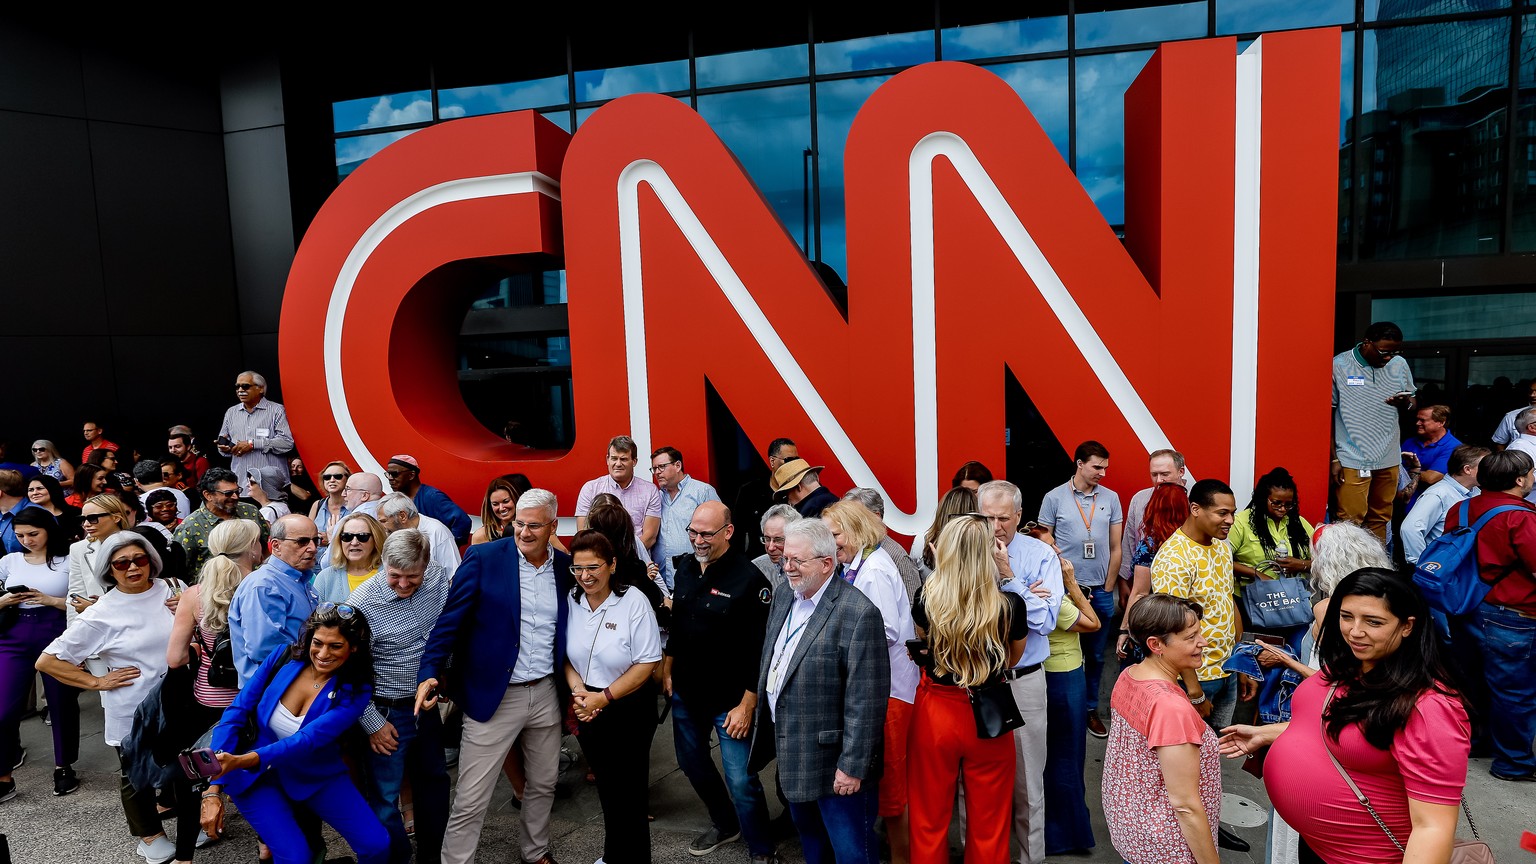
x=419 y=756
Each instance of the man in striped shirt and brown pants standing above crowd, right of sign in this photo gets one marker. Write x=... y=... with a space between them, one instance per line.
x=1371 y=385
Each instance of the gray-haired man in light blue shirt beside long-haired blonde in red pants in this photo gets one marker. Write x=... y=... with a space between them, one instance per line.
x=1033 y=571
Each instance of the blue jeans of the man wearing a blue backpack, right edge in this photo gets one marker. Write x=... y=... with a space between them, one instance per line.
x=1508 y=645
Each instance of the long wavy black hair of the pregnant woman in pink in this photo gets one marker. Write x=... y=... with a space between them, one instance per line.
x=1383 y=699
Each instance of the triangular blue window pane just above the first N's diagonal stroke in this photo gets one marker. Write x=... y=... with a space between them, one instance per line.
x=770 y=133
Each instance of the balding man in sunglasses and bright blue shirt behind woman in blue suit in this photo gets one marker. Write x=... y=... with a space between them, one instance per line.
x=271 y=605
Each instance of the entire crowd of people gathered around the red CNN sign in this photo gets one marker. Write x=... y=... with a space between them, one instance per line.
x=328 y=646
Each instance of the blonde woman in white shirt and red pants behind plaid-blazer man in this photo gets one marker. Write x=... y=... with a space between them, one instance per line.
x=870 y=570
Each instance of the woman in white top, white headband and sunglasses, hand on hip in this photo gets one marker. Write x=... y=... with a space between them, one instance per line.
x=128 y=630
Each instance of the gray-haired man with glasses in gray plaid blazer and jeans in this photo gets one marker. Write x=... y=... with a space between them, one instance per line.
x=821 y=700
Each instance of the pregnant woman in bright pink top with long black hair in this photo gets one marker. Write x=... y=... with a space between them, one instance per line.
x=1389 y=713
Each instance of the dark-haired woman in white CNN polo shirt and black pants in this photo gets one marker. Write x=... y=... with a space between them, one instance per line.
x=612 y=646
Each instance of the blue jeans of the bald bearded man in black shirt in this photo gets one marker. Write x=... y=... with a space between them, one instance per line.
x=744 y=808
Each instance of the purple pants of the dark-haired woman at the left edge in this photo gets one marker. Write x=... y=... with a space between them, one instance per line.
x=21 y=643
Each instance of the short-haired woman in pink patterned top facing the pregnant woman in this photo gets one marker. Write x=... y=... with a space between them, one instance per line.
x=1162 y=766
